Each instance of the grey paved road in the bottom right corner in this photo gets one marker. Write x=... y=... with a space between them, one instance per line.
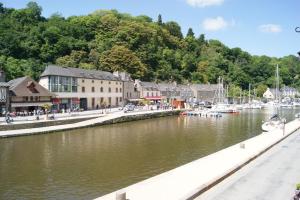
x=272 y=176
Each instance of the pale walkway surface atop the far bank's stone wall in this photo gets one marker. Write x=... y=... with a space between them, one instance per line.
x=86 y=123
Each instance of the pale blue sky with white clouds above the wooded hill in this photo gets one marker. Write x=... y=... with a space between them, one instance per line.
x=260 y=27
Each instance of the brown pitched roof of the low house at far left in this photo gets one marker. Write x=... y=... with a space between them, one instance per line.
x=19 y=87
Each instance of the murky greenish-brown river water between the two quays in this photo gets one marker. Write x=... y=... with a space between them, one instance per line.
x=88 y=163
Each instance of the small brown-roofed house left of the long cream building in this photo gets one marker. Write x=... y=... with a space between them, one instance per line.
x=26 y=95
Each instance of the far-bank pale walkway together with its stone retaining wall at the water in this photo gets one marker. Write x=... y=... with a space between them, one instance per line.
x=117 y=117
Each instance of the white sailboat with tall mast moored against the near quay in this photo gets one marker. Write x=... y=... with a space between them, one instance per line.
x=275 y=122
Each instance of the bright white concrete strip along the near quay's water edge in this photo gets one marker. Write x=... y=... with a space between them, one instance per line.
x=189 y=180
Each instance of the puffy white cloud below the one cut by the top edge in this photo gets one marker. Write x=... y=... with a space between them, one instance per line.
x=215 y=24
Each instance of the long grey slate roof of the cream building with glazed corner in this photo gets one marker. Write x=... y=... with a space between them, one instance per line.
x=79 y=73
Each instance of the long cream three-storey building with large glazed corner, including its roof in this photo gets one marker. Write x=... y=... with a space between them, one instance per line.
x=82 y=89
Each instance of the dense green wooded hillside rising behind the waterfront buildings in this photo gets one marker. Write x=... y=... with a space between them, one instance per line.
x=151 y=50
